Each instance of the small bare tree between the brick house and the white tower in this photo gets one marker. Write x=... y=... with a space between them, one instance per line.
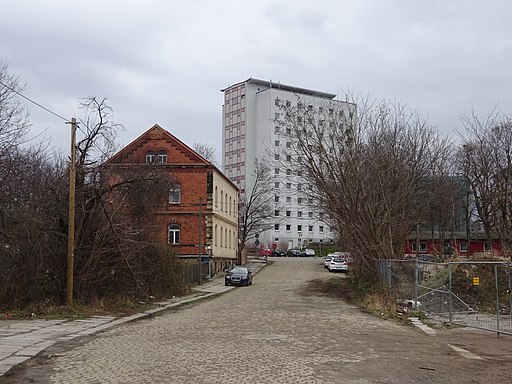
x=255 y=212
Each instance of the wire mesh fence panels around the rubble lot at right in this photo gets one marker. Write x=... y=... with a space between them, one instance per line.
x=472 y=293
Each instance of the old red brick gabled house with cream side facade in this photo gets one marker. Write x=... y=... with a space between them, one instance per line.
x=200 y=216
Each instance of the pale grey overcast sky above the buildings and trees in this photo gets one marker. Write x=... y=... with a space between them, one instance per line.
x=165 y=62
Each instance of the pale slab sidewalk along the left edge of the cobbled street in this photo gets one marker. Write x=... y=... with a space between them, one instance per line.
x=21 y=340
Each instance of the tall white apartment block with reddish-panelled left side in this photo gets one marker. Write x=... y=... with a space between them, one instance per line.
x=250 y=111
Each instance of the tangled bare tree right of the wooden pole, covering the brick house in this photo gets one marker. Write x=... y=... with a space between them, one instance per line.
x=117 y=250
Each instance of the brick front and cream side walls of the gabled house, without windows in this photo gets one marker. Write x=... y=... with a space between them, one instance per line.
x=197 y=179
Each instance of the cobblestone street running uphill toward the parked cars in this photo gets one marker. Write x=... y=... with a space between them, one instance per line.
x=269 y=332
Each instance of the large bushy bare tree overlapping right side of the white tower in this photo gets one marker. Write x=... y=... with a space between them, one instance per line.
x=369 y=169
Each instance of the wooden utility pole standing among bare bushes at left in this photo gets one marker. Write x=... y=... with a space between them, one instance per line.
x=71 y=215
